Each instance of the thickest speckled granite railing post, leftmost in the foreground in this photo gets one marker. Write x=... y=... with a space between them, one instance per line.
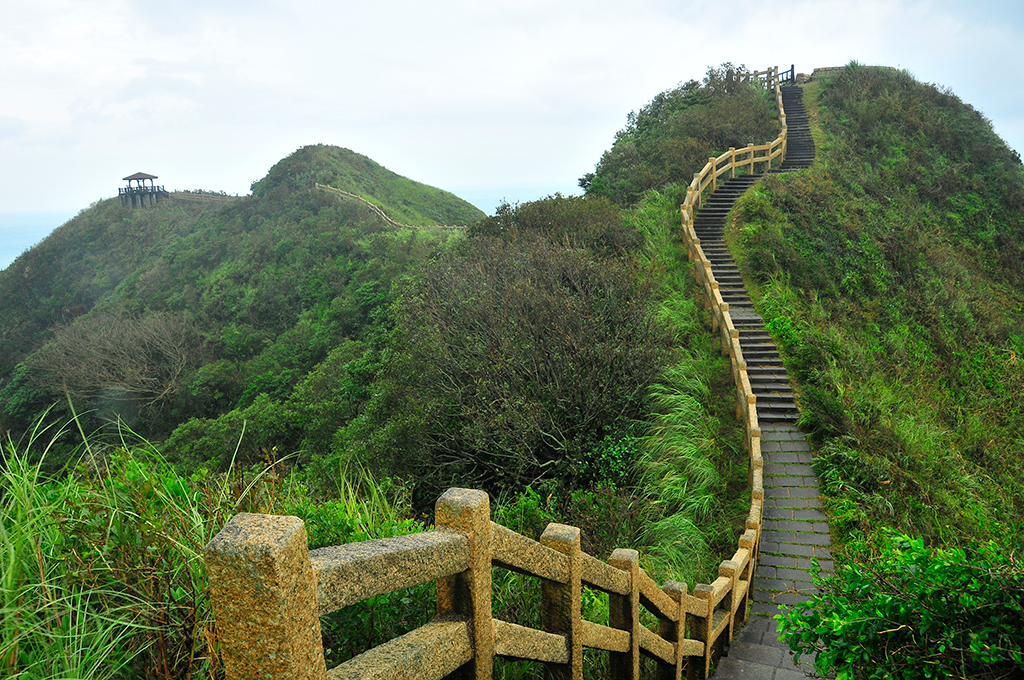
x=265 y=600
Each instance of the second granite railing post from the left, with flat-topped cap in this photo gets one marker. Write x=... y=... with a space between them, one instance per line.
x=468 y=594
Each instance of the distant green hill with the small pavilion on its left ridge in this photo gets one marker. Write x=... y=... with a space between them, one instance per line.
x=267 y=286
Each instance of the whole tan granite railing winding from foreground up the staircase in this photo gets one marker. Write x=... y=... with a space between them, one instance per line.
x=269 y=590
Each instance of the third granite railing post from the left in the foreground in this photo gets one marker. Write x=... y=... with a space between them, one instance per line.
x=561 y=604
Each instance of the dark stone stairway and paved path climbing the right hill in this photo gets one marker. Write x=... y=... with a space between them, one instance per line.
x=795 y=531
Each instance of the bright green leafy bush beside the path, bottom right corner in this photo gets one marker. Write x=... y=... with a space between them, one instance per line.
x=917 y=613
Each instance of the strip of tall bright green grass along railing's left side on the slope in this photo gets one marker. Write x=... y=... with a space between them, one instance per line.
x=690 y=469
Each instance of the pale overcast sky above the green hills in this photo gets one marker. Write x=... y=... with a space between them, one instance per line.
x=494 y=100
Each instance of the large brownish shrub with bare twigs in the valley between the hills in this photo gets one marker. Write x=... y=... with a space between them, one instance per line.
x=511 y=361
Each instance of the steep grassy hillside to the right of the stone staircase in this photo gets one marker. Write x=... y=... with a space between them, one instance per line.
x=892 y=275
